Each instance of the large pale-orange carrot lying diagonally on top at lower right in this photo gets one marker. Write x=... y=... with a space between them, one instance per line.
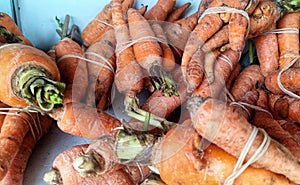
x=232 y=134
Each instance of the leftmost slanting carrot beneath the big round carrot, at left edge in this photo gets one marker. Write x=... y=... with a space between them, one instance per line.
x=13 y=131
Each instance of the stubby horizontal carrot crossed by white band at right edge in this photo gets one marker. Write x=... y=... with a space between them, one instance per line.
x=290 y=80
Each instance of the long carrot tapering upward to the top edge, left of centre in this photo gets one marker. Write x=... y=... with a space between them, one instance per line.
x=129 y=75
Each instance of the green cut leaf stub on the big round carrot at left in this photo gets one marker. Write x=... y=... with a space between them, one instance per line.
x=34 y=85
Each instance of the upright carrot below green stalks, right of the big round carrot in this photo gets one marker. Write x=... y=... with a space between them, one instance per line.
x=73 y=69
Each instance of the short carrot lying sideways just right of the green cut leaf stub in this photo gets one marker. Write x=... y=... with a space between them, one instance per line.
x=84 y=121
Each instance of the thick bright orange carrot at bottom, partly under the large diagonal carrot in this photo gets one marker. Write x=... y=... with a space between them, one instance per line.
x=180 y=150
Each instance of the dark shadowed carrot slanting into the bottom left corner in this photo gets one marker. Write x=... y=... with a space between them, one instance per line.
x=16 y=171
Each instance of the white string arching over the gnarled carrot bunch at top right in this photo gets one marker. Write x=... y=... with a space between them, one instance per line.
x=224 y=9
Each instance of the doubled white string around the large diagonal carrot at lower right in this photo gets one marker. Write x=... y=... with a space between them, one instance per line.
x=239 y=166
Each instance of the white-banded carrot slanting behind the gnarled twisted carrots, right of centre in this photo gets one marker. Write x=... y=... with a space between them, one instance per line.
x=224 y=65
